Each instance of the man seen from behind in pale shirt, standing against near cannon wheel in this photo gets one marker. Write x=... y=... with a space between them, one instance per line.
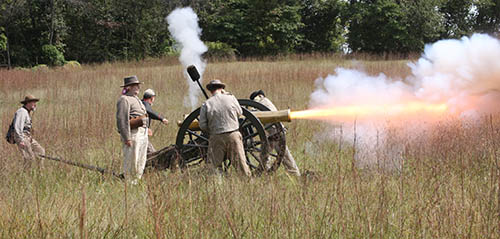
x=219 y=118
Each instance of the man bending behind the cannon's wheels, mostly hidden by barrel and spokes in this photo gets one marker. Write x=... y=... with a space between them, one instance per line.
x=288 y=161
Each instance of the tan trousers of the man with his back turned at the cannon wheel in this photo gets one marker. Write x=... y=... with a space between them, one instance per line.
x=230 y=145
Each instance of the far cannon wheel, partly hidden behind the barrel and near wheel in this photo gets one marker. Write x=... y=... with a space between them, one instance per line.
x=276 y=138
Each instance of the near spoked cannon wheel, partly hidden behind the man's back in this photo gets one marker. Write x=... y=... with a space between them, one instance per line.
x=193 y=144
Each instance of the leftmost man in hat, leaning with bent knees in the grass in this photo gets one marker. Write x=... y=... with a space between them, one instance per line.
x=21 y=131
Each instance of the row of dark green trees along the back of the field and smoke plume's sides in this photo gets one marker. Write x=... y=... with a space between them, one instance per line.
x=91 y=31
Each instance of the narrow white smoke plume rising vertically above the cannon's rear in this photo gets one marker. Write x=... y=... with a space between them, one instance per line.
x=183 y=26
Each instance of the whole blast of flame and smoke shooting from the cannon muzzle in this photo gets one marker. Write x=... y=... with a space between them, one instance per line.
x=452 y=79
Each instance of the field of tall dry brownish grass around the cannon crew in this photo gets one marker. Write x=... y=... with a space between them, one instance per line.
x=446 y=187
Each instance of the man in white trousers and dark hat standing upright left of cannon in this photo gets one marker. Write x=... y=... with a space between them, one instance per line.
x=132 y=122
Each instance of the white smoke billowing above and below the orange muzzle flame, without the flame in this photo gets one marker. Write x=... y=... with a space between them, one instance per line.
x=465 y=74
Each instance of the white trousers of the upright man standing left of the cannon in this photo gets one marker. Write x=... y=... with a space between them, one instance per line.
x=135 y=156
